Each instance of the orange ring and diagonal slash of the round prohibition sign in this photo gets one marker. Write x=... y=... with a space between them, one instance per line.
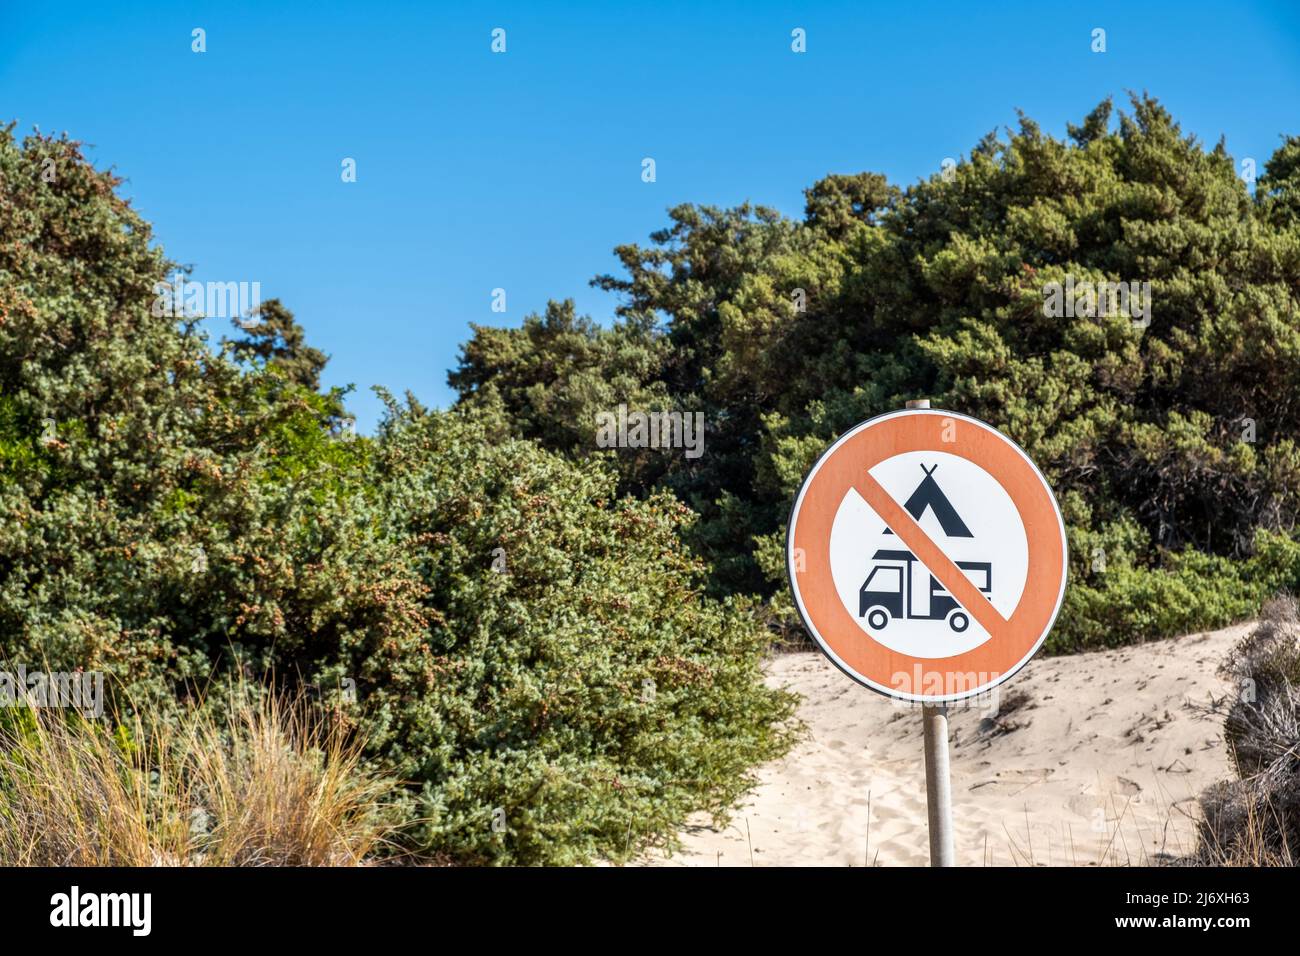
x=844 y=466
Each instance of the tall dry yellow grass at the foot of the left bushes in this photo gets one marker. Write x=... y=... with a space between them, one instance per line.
x=268 y=786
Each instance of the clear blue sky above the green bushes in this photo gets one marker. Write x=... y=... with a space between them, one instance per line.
x=523 y=171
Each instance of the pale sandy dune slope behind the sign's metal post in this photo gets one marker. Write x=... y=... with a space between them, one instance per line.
x=1100 y=764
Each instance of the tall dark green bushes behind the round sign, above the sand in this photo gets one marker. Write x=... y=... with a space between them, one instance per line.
x=1168 y=434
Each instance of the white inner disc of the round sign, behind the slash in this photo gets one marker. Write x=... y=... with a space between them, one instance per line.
x=891 y=594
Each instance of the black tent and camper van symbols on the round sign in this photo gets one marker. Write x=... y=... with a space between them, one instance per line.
x=891 y=591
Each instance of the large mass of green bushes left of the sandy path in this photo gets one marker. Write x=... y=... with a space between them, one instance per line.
x=174 y=514
